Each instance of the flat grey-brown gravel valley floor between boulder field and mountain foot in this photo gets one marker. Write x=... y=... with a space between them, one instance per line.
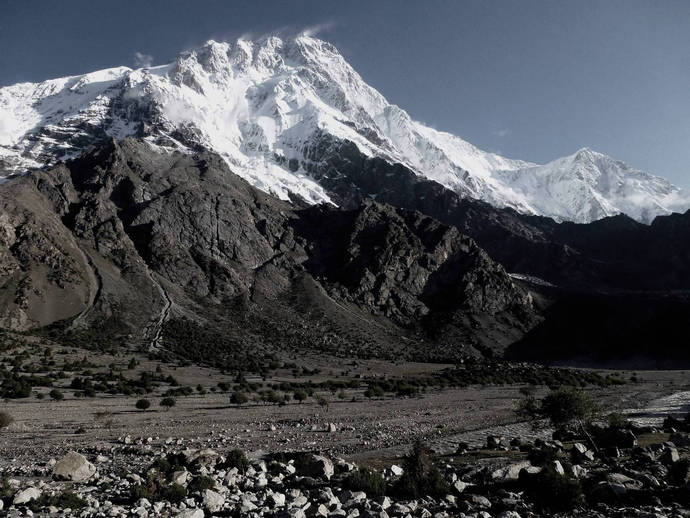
x=367 y=430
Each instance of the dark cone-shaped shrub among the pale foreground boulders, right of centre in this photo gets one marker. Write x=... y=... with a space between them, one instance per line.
x=421 y=477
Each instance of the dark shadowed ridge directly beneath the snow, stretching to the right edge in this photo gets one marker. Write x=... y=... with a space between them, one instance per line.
x=612 y=254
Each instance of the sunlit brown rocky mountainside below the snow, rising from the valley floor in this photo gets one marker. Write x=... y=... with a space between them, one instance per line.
x=143 y=239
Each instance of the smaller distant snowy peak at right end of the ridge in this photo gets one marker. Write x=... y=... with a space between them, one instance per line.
x=588 y=185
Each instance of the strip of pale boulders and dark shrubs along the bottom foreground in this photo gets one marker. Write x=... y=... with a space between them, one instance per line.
x=610 y=474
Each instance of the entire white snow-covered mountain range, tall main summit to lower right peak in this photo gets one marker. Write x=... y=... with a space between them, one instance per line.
x=264 y=104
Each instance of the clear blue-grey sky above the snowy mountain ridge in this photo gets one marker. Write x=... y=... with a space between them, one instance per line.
x=529 y=79
